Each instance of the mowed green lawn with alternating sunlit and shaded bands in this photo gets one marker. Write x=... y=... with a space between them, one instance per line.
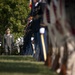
x=23 y=65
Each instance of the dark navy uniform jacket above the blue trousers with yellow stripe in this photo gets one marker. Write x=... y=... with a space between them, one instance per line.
x=37 y=16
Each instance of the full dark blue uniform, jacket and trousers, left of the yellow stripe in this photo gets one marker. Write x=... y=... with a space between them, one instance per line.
x=37 y=14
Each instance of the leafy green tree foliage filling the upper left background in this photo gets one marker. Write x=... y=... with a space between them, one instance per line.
x=13 y=14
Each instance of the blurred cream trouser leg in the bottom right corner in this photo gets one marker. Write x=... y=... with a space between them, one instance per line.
x=71 y=60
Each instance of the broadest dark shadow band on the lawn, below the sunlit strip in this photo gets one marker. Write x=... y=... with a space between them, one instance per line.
x=18 y=68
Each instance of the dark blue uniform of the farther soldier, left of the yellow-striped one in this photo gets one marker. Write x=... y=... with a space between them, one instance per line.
x=27 y=50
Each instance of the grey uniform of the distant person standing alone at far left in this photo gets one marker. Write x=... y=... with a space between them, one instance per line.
x=8 y=43
